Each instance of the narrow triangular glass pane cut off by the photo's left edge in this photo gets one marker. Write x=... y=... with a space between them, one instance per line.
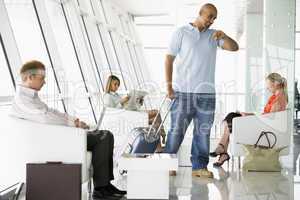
x=6 y=86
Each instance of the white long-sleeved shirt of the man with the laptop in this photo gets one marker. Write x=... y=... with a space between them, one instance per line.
x=28 y=105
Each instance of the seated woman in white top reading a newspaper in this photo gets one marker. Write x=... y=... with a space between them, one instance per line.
x=112 y=99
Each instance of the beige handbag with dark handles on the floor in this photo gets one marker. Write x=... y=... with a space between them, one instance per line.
x=262 y=158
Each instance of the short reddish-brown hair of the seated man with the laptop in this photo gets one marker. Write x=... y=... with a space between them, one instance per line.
x=32 y=67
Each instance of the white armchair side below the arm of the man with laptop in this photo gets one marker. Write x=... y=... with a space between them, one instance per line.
x=29 y=142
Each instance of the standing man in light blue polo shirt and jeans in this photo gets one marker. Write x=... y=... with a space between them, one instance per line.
x=195 y=47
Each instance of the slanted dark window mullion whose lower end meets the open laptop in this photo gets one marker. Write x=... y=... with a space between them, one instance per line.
x=77 y=59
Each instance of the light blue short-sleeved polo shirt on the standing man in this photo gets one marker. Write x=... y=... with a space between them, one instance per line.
x=195 y=62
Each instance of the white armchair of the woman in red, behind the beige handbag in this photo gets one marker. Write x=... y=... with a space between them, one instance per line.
x=246 y=130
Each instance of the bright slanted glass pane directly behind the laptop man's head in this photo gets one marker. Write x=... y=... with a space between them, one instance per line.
x=29 y=39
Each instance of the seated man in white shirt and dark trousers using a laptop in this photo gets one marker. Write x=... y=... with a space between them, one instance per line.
x=28 y=105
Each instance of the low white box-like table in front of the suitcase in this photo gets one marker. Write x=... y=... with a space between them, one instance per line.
x=148 y=175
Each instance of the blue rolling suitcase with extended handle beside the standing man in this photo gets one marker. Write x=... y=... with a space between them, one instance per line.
x=146 y=139
